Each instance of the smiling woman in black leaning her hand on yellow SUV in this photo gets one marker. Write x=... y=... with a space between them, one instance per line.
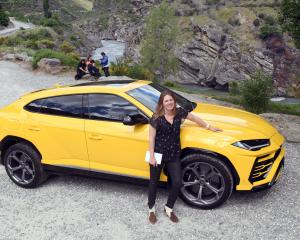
x=164 y=138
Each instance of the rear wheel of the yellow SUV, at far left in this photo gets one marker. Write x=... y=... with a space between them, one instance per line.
x=23 y=165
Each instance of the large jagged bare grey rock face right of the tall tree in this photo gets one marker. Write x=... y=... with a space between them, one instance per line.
x=213 y=58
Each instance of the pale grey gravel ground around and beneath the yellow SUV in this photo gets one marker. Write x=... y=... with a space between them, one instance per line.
x=71 y=207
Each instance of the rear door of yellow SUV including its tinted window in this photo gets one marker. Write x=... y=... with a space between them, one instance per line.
x=55 y=125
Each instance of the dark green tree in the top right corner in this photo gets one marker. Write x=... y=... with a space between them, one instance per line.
x=290 y=18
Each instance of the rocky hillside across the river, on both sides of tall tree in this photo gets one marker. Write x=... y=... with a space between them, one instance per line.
x=222 y=40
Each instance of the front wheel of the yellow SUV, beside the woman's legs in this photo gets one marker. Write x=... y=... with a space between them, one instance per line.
x=206 y=181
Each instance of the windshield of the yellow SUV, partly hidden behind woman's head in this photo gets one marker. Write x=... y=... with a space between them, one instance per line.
x=148 y=95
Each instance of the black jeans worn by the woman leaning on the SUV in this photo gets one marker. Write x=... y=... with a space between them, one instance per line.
x=174 y=181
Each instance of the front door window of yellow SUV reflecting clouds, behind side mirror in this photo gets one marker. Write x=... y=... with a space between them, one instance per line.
x=109 y=107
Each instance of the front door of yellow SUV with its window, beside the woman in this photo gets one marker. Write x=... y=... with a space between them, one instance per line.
x=112 y=146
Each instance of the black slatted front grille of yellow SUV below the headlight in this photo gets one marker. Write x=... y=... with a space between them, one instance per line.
x=262 y=166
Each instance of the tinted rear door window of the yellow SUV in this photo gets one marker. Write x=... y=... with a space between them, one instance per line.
x=68 y=106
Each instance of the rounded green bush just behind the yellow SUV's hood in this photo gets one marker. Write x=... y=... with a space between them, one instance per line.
x=256 y=92
